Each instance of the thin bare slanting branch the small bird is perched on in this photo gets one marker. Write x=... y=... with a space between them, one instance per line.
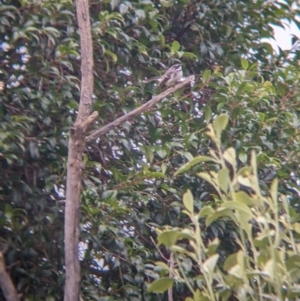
x=143 y=108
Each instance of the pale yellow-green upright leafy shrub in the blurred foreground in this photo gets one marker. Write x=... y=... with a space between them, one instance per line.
x=266 y=263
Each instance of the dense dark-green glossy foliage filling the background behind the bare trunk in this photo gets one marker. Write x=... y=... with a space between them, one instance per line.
x=128 y=181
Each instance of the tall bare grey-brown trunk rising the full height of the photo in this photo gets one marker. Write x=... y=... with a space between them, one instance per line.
x=76 y=148
